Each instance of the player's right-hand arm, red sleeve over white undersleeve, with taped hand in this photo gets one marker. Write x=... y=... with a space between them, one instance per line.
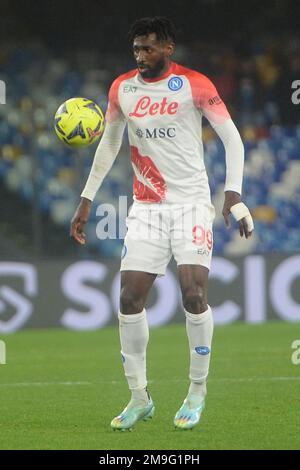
x=216 y=112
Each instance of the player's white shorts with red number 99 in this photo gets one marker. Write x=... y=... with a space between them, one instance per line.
x=155 y=232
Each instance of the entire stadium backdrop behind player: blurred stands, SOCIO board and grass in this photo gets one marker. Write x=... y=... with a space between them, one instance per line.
x=60 y=388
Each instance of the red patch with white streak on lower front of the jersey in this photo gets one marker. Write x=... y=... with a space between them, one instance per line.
x=148 y=183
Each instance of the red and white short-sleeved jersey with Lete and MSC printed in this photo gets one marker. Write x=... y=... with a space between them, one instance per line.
x=164 y=117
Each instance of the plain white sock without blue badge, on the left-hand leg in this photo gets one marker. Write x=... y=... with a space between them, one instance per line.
x=134 y=336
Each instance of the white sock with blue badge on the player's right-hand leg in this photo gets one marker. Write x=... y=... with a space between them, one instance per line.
x=199 y=329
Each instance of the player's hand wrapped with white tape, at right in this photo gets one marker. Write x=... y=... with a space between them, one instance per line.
x=234 y=205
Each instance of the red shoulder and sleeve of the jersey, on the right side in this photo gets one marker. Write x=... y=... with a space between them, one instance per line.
x=205 y=95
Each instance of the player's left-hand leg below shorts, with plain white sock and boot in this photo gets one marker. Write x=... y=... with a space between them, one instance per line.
x=134 y=336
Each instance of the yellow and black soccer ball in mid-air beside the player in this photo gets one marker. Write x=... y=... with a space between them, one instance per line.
x=79 y=122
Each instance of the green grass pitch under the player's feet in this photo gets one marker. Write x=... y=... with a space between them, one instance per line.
x=60 y=390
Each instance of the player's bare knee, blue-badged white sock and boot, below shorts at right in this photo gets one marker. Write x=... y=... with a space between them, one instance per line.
x=199 y=326
